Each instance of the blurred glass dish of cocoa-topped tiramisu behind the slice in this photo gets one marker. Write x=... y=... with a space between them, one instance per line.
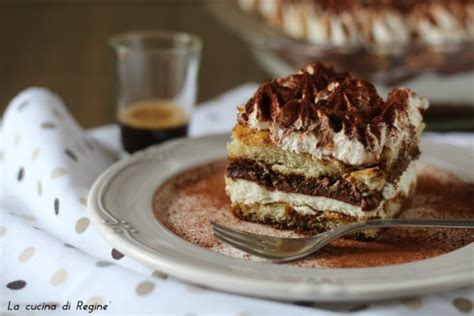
x=425 y=45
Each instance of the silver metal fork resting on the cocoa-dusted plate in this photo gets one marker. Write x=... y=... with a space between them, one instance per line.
x=282 y=249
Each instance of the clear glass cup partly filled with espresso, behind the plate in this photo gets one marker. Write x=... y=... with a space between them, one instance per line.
x=156 y=83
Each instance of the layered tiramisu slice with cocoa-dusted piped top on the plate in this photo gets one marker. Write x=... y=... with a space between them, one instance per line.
x=319 y=149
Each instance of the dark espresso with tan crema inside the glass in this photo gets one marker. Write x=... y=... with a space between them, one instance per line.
x=150 y=122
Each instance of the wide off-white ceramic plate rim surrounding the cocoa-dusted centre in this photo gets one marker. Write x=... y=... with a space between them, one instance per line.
x=120 y=207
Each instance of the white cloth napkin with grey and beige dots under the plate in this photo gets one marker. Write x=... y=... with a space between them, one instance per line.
x=51 y=254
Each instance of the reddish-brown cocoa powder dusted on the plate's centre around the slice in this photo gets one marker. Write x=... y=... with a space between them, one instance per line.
x=188 y=202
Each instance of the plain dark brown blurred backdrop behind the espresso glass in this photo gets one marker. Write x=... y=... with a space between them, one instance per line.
x=62 y=45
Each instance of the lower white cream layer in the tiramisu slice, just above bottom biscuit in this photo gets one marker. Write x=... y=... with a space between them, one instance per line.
x=248 y=192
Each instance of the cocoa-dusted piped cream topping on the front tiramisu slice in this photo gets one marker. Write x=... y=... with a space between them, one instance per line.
x=326 y=114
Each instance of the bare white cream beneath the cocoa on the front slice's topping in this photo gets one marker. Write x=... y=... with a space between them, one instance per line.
x=344 y=148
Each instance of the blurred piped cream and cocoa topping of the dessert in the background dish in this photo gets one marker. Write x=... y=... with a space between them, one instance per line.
x=366 y=23
